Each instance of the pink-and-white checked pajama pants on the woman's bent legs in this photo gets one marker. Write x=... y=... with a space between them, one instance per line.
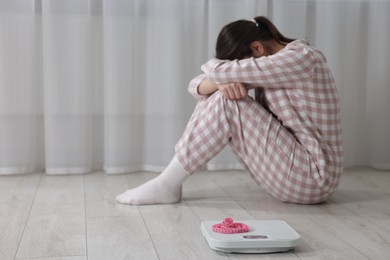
x=272 y=155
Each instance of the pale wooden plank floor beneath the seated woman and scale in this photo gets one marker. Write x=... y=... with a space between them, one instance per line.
x=75 y=217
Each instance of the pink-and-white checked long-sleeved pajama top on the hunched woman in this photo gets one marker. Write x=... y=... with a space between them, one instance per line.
x=297 y=87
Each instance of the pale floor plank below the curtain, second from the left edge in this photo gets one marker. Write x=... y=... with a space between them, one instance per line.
x=56 y=225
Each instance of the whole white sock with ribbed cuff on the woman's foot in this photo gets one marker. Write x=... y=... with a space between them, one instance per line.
x=164 y=189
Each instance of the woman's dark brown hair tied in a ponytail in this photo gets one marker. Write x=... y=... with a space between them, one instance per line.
x=235 y=38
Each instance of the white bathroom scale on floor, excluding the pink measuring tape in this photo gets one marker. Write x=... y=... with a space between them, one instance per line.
x=264 y=236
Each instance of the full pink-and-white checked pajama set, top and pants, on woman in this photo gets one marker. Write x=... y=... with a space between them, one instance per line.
x=288 y=137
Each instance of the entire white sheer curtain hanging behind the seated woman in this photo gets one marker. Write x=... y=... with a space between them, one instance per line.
x=102 y=84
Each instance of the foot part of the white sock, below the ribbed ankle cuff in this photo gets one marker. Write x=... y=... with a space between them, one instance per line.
x=155 y=191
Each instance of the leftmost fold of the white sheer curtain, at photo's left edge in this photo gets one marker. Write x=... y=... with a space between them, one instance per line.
x=21 y=129
